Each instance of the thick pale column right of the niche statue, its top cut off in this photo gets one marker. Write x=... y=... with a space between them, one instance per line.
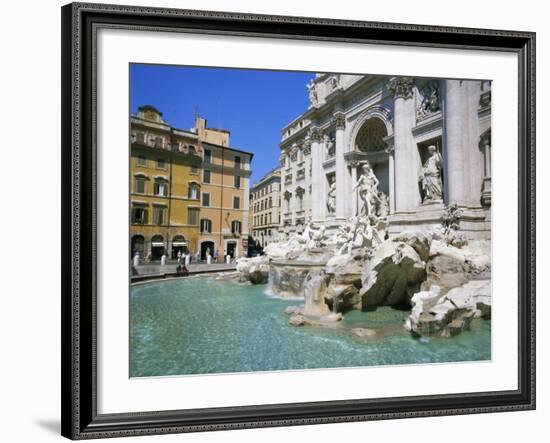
x=463 y=159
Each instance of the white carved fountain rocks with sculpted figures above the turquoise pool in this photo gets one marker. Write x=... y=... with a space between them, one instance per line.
x=441 y=277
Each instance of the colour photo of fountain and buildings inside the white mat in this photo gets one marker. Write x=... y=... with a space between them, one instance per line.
x=290 y=221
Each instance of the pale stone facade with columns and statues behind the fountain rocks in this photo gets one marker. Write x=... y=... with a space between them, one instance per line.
x=428 y=142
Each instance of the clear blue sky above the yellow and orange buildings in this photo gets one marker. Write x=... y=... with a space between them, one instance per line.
x=253 y=104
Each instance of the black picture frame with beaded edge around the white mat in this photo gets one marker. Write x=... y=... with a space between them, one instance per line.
x=79 y=175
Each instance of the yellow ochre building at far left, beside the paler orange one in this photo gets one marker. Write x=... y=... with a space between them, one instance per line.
x=165 y=174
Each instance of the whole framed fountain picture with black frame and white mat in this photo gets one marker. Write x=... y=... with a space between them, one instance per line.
x=273 y=221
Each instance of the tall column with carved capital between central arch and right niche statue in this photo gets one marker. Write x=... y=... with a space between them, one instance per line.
x=407 y=196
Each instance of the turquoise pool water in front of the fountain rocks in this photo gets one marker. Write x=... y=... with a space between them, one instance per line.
x=200 y=326
